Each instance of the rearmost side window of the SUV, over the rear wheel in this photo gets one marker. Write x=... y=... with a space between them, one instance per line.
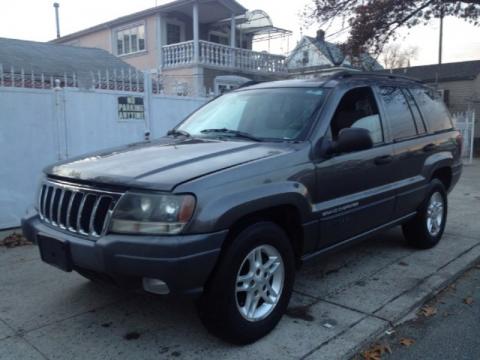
x=433 y=109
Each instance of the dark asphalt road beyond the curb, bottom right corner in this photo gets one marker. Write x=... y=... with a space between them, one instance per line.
x=452 y=333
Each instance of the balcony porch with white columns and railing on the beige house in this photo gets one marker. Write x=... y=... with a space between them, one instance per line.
x=217 y=34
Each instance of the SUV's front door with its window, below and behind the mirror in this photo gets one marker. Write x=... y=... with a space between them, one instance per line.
x=354 y=190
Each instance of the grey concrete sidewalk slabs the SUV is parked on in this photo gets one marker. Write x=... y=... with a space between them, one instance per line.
x=338 y=305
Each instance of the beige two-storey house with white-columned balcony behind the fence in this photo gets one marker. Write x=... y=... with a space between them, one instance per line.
x=191 y=43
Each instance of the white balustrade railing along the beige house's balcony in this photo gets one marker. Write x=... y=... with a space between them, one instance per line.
x=212 y=54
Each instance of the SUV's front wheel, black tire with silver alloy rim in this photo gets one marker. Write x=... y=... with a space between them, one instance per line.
x=223 y=307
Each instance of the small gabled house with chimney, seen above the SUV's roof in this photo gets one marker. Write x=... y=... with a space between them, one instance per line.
x=313 y=56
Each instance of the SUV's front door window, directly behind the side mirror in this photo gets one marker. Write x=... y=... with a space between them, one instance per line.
x=358 y=109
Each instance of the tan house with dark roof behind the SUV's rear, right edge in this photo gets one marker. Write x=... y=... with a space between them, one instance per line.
x=459 y=82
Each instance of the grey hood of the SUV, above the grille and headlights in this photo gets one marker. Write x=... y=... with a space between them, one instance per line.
x=163 y=163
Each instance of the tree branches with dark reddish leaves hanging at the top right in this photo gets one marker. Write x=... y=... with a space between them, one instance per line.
x=372 y=23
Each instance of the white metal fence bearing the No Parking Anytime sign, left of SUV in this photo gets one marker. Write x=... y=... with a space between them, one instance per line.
x=41 y=124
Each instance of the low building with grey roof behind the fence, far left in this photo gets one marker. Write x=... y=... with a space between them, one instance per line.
x=38 y=64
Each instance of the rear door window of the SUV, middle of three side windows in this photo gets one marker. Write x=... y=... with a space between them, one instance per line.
x=398 y=111
